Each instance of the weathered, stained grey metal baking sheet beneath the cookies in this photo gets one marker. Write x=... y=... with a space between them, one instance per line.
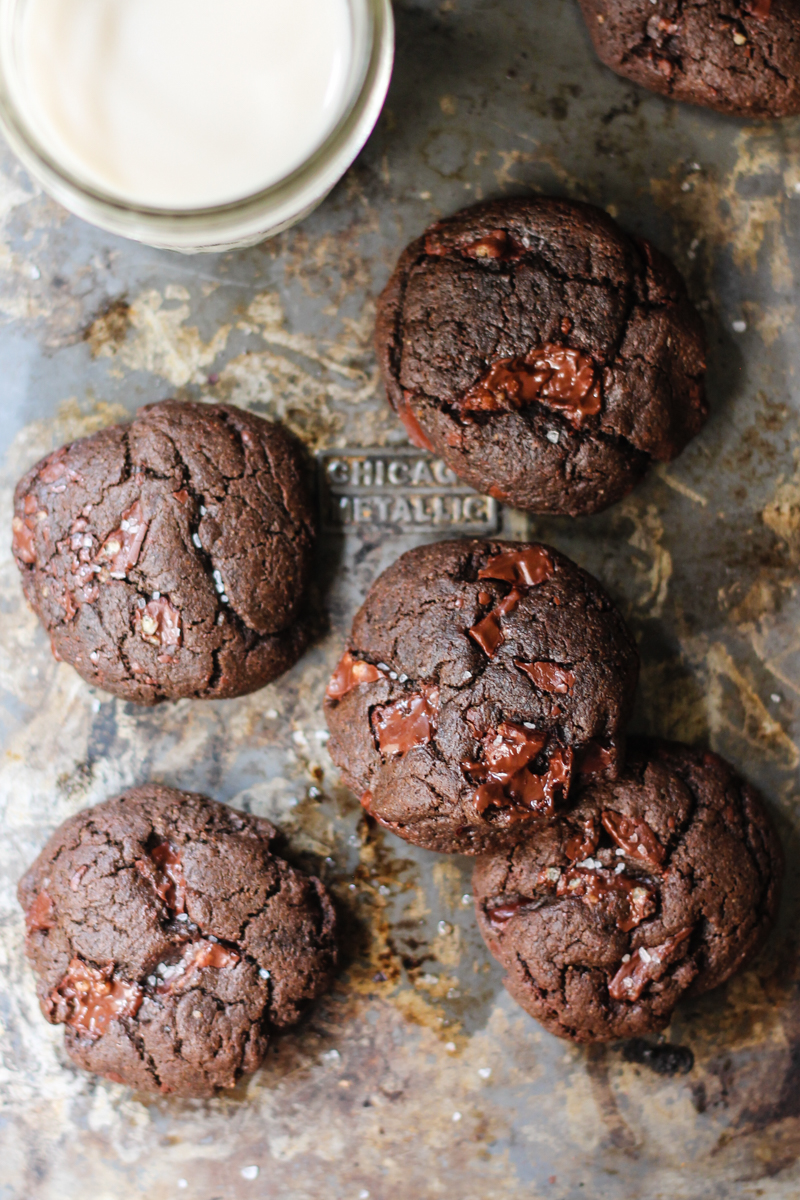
x=419 y=1078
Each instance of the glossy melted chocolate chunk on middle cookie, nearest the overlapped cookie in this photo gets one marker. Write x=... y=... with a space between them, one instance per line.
x=506 y=776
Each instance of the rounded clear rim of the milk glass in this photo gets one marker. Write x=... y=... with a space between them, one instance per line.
x=378 y=26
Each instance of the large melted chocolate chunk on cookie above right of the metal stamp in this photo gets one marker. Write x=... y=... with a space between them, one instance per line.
x=552 y=375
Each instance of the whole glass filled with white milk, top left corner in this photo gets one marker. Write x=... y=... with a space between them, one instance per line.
x=193 y=124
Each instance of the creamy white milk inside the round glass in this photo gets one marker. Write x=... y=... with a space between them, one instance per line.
x=183 y=104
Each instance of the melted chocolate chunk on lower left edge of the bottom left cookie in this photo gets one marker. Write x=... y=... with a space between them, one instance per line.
x=89 y=1000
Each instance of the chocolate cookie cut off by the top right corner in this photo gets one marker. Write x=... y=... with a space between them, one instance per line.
x=739 y=57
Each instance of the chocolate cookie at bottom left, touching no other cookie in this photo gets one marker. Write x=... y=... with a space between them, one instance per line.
x=171 y=941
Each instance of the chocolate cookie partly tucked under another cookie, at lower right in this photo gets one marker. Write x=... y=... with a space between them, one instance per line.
x=659 y=885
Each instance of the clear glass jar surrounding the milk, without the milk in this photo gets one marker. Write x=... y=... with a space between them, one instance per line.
x=226 y=226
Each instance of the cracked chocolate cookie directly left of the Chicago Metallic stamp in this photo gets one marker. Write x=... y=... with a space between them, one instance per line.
x=169 y=557
